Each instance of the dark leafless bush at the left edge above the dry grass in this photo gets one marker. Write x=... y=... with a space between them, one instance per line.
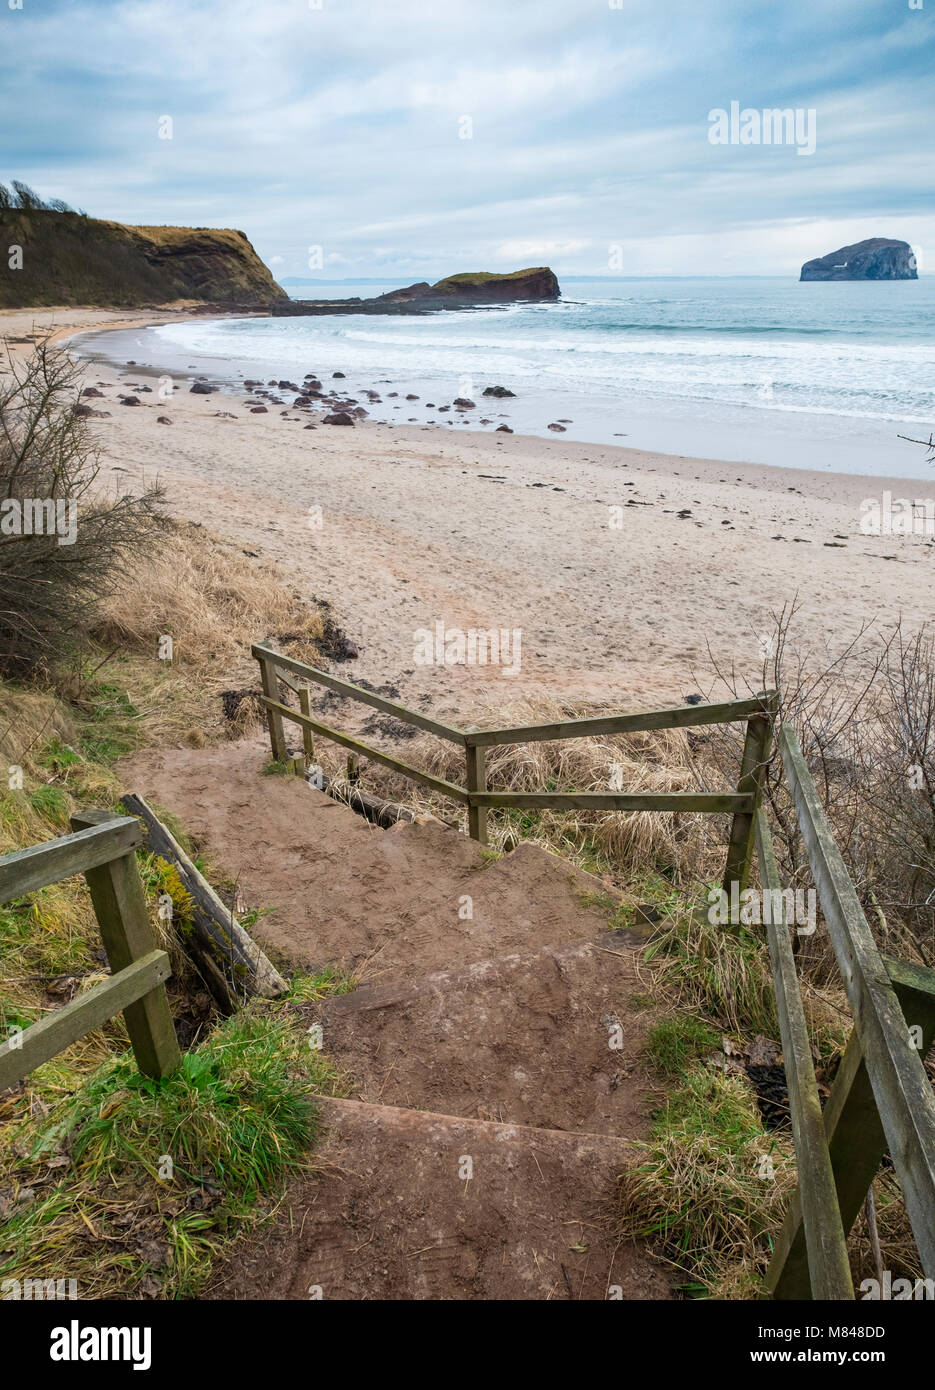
x=65 y=543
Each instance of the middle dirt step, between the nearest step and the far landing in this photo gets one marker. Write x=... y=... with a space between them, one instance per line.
x=548 y=1038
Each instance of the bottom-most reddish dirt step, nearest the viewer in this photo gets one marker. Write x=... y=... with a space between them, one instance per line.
x=391 y=1217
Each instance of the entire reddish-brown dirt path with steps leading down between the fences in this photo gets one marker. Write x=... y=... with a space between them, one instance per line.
x=494 y=1049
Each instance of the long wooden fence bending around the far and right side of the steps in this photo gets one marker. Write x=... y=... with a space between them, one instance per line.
x=882 y=1100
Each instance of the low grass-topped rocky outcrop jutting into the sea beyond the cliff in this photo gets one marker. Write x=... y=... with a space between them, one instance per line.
x=472 y=290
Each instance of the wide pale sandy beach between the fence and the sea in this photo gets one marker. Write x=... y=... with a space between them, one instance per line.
x=623 y=571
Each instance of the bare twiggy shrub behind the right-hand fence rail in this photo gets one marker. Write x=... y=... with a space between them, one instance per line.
x=865 y=718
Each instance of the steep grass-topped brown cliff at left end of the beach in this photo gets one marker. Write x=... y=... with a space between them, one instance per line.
x=70 y=259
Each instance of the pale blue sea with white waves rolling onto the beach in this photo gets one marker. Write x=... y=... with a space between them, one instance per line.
x=761 y=370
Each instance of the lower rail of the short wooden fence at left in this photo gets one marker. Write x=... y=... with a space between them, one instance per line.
x=41 y=1042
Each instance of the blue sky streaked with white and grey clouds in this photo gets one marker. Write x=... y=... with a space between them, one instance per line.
x=341 y=124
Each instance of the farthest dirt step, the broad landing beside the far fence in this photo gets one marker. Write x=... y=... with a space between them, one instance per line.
x=384 y=903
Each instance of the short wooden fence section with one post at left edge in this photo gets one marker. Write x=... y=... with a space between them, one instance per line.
x=102 y=849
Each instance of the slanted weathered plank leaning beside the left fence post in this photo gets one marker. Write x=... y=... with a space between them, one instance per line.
x=245 y=968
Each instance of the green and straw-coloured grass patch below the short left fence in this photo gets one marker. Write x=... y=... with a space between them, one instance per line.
x=134 y=1185
